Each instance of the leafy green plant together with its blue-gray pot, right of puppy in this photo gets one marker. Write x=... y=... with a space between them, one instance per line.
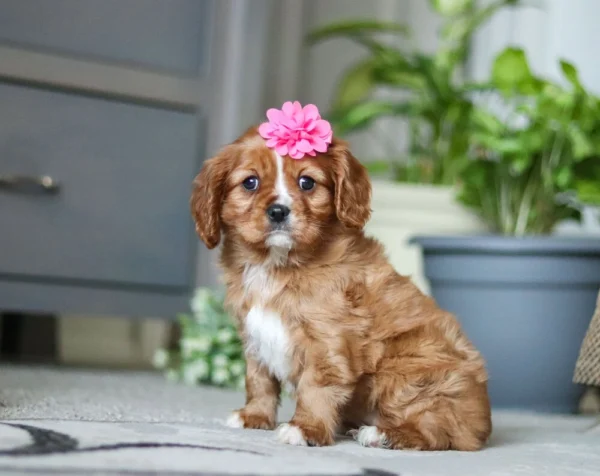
x=524 y=294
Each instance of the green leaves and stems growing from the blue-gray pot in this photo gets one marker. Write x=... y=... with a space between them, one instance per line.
x=535 y=157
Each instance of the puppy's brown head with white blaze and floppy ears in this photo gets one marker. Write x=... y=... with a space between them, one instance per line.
x=253 y=195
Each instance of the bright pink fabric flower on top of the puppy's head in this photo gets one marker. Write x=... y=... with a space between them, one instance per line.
x=296 y=131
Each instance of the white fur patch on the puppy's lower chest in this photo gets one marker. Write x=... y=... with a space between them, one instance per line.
x=268 y=341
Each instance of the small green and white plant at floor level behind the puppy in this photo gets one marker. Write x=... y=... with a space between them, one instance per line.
x=209 y=351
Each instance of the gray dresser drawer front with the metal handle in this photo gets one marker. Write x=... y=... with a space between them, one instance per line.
x=121 y=215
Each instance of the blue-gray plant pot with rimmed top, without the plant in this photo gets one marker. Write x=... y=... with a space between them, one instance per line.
x=526 y=303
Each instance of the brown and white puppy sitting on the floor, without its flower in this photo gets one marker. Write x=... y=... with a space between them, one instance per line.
x=319 y=307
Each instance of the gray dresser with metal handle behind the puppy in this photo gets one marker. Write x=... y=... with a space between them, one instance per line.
x=102 y=129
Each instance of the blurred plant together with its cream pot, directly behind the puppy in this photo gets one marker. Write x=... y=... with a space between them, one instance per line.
x=412 y=189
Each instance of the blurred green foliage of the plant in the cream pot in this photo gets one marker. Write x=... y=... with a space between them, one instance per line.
x=438 y=104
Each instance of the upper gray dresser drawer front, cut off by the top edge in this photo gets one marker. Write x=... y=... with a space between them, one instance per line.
x=161 y=34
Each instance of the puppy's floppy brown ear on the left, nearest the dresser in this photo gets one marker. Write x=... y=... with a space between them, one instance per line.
x=207 y=196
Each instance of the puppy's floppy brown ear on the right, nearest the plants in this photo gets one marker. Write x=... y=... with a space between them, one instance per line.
x=352 y=187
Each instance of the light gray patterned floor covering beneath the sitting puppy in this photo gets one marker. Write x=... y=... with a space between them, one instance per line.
x=91 y=422
